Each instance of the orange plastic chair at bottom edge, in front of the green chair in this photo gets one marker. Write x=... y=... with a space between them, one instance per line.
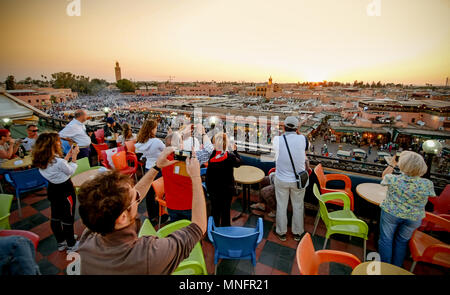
x=309 y=260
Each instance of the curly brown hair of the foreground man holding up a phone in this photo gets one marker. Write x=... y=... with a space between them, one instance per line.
x=103 y=199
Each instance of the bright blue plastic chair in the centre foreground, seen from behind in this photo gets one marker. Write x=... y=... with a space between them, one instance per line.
x=235 y=242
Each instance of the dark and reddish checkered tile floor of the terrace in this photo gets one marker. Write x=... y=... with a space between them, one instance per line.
x=273 y=256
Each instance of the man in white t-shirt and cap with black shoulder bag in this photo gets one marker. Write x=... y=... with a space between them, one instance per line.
x=285 y=180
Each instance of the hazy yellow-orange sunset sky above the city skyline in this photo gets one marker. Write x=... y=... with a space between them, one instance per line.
x=229 y=40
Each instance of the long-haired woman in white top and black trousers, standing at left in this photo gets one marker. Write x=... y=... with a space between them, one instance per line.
x=48 y=157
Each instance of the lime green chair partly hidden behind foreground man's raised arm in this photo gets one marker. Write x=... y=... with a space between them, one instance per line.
x=195 y=263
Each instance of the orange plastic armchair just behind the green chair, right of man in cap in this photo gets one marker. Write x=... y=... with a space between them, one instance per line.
x=323 y=179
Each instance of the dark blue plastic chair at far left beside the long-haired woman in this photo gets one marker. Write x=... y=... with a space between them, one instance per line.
x=25 y=181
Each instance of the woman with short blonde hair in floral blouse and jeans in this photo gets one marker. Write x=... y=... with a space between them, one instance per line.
x=404 y=207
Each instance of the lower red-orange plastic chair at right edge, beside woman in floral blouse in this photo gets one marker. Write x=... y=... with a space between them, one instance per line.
x=428 y=249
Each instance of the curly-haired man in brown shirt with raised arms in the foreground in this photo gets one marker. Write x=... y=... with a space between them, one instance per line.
x=109 y=207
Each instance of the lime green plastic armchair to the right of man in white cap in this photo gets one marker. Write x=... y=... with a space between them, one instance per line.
x=341 y=221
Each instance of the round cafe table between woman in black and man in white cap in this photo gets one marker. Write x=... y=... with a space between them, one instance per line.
x=247 y=175
